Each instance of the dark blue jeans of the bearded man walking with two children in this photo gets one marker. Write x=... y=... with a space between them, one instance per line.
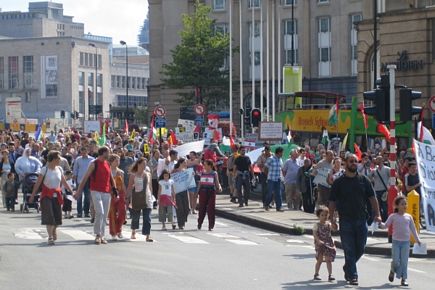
x=353 y=235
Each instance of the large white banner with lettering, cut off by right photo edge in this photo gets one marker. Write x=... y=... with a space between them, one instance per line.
x=425 y=154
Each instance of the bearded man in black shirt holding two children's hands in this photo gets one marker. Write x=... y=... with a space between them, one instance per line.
x=349 y=195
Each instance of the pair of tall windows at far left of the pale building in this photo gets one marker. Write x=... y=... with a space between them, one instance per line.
x=13 y=72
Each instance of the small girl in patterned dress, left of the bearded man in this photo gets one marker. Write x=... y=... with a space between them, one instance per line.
x=323 y=242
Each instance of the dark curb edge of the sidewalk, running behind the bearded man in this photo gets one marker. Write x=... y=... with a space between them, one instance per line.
x=285 y=229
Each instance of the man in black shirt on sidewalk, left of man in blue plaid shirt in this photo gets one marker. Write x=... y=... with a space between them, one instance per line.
x=242 y=171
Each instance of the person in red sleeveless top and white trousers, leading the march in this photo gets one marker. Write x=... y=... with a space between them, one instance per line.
x=101 y=188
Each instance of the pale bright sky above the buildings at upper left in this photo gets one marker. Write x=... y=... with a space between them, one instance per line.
x=119 y=19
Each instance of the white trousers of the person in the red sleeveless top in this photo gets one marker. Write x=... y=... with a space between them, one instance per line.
x=101 y=201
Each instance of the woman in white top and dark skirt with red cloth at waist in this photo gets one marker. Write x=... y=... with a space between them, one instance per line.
x=51 y=178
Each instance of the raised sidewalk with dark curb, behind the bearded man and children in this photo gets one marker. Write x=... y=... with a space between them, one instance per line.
x=292 y=222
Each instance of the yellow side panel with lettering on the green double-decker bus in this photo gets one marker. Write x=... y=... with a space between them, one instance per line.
x=314 y=120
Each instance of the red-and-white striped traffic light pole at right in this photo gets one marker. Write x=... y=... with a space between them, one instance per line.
x=392 y=191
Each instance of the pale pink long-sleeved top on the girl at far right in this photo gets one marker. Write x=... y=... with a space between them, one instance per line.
x=403 y=226
